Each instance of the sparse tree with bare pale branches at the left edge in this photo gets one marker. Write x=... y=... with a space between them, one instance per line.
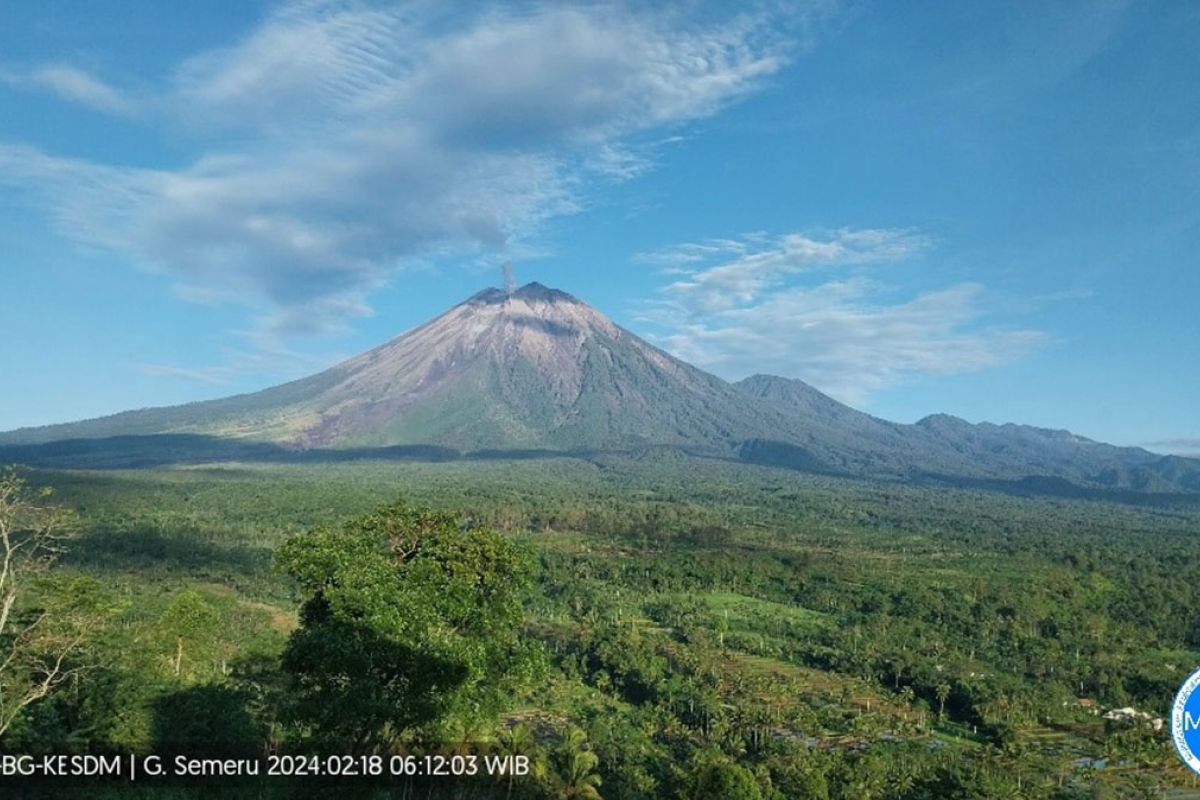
x=44 y=624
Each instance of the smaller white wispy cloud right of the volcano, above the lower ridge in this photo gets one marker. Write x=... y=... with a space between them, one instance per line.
x=761 y=304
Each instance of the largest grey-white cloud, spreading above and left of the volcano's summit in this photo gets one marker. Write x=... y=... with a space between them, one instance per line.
x=346 y=140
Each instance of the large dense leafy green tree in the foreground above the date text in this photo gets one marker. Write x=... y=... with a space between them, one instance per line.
x=411 y=621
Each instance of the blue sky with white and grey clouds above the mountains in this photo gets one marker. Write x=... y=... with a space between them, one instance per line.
x=988 y=209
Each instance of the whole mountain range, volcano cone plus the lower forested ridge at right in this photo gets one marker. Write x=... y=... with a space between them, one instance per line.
x=538 y=369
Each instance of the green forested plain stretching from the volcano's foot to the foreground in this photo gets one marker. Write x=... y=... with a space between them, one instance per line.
x=635 y=628
